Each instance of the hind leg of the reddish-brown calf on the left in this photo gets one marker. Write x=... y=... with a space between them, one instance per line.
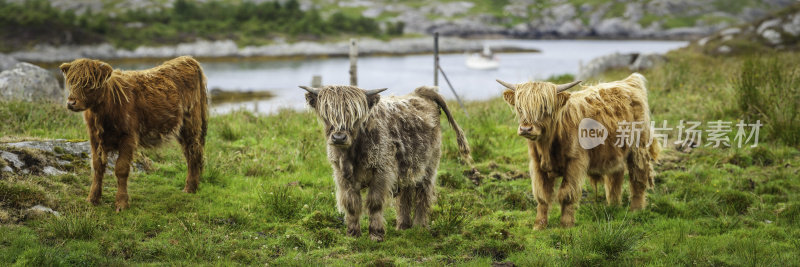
x=192 y=143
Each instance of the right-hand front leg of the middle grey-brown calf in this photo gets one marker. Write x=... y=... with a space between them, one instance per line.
x=378 y=191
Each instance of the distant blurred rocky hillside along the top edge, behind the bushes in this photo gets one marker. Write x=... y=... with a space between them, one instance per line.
x=657 y=19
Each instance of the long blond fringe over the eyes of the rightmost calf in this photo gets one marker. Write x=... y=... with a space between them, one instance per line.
x=534 y=99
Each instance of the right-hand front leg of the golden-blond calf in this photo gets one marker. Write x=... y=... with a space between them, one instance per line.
x=569 y=194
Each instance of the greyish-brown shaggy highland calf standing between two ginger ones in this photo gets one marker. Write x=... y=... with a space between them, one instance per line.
x=386 y=145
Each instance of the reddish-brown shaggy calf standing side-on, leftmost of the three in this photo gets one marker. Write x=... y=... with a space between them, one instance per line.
x=128 y=109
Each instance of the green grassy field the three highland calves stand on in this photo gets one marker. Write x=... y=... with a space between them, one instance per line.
x=266 y=196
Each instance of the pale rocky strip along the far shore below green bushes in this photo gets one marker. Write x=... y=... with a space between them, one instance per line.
x=229 y=49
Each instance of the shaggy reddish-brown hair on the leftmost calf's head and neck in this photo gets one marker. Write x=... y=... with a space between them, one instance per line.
x=82 y=77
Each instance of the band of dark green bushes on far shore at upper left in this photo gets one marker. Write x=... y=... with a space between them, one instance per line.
x=35 y=21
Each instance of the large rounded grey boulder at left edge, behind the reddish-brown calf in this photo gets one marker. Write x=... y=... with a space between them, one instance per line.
x=29 y=82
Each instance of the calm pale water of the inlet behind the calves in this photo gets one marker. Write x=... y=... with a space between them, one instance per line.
x=402 y=74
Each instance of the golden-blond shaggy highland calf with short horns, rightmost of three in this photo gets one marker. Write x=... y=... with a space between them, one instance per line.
x=549 y=117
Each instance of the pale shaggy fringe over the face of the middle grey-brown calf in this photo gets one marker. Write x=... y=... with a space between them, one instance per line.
x=342 y=106
